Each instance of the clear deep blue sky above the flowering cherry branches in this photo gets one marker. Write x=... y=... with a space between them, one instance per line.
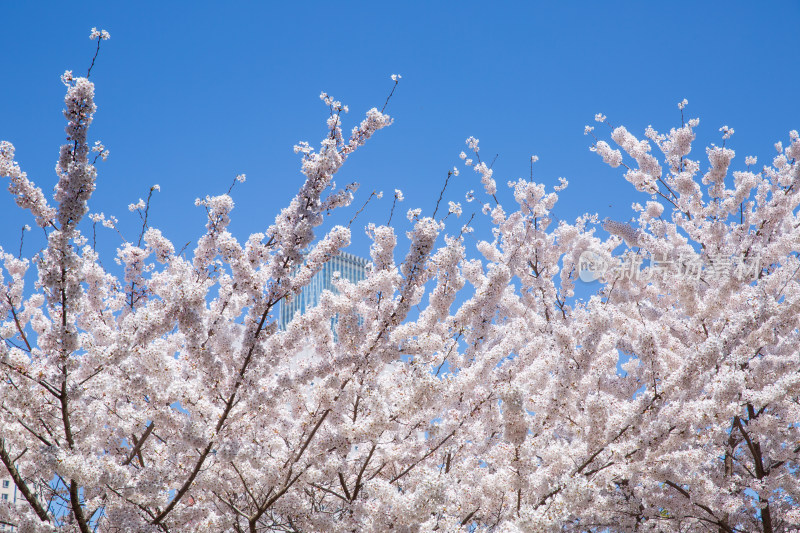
x=190 y=94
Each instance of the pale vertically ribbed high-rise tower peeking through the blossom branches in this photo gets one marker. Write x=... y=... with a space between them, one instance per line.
x=349 y=266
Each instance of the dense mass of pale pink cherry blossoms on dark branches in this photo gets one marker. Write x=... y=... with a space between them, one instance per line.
x=464 y=389
